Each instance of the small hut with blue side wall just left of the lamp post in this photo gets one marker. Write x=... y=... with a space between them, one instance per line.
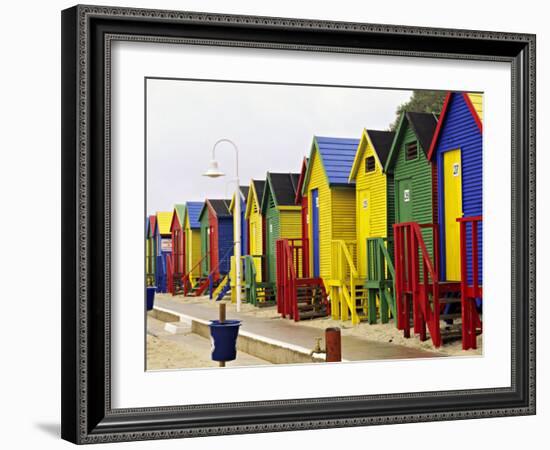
x=216 y=237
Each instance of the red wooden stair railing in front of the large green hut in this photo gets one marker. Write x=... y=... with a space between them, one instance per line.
x=415 y=279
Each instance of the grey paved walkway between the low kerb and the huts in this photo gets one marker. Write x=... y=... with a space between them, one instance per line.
x=293 y=333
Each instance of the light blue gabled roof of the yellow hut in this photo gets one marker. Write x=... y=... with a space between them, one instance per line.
x=337 y=156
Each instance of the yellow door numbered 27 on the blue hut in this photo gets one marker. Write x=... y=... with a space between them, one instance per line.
x=452 y=188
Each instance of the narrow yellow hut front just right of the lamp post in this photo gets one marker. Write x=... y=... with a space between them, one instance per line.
x=255 y=222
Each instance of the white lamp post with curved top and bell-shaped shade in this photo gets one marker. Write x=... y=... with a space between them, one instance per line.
x=214 y=172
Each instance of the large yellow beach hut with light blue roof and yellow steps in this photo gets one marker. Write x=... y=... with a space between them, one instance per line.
x=331 y=214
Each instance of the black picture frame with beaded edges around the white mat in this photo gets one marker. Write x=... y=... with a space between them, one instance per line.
x=87 y=416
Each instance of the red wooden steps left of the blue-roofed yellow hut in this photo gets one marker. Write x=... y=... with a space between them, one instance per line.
x=298 y=297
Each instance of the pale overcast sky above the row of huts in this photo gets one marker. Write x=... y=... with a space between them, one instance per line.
x=272 y=126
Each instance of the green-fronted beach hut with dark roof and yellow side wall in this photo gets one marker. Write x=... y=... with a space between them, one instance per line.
x=282 y=215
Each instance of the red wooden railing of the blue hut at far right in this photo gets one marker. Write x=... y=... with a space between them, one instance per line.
x=470 y=292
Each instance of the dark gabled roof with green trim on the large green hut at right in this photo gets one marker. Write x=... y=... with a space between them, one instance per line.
x=423 y=126
